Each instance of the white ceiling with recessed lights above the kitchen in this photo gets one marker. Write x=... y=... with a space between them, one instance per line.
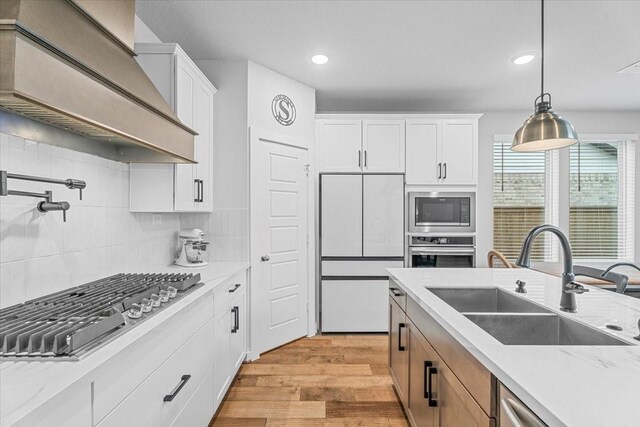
x=421 y=55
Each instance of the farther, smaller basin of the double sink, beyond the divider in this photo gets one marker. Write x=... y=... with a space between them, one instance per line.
x=486 y=300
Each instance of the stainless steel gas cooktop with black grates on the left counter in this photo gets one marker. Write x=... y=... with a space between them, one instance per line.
x=70 y=323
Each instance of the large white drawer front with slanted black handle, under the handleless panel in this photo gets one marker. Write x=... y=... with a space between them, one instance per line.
x=146 y=406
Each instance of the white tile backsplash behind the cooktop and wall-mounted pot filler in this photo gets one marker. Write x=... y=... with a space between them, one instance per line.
x=40 y=254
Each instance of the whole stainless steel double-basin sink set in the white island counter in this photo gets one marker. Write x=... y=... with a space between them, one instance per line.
x=514 y=320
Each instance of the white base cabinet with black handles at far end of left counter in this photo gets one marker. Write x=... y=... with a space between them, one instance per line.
x=230 y=333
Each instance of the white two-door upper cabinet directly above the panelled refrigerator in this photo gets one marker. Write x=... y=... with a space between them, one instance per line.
x=360 y=146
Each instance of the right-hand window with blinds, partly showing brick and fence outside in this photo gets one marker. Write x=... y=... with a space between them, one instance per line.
x=601 y=205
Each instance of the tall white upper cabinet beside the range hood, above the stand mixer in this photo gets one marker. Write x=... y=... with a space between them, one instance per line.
x=179 y=187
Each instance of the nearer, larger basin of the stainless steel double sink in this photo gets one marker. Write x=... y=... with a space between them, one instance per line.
x=540 y=329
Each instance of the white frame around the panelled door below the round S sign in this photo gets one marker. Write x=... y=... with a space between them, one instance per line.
x=255 y=135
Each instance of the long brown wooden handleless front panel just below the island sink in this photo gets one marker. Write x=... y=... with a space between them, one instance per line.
x=475 y=377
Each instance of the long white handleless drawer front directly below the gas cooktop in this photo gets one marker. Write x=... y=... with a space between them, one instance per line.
x=124 y=372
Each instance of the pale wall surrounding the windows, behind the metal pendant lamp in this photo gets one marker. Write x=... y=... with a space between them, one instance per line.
x=493 y=123
